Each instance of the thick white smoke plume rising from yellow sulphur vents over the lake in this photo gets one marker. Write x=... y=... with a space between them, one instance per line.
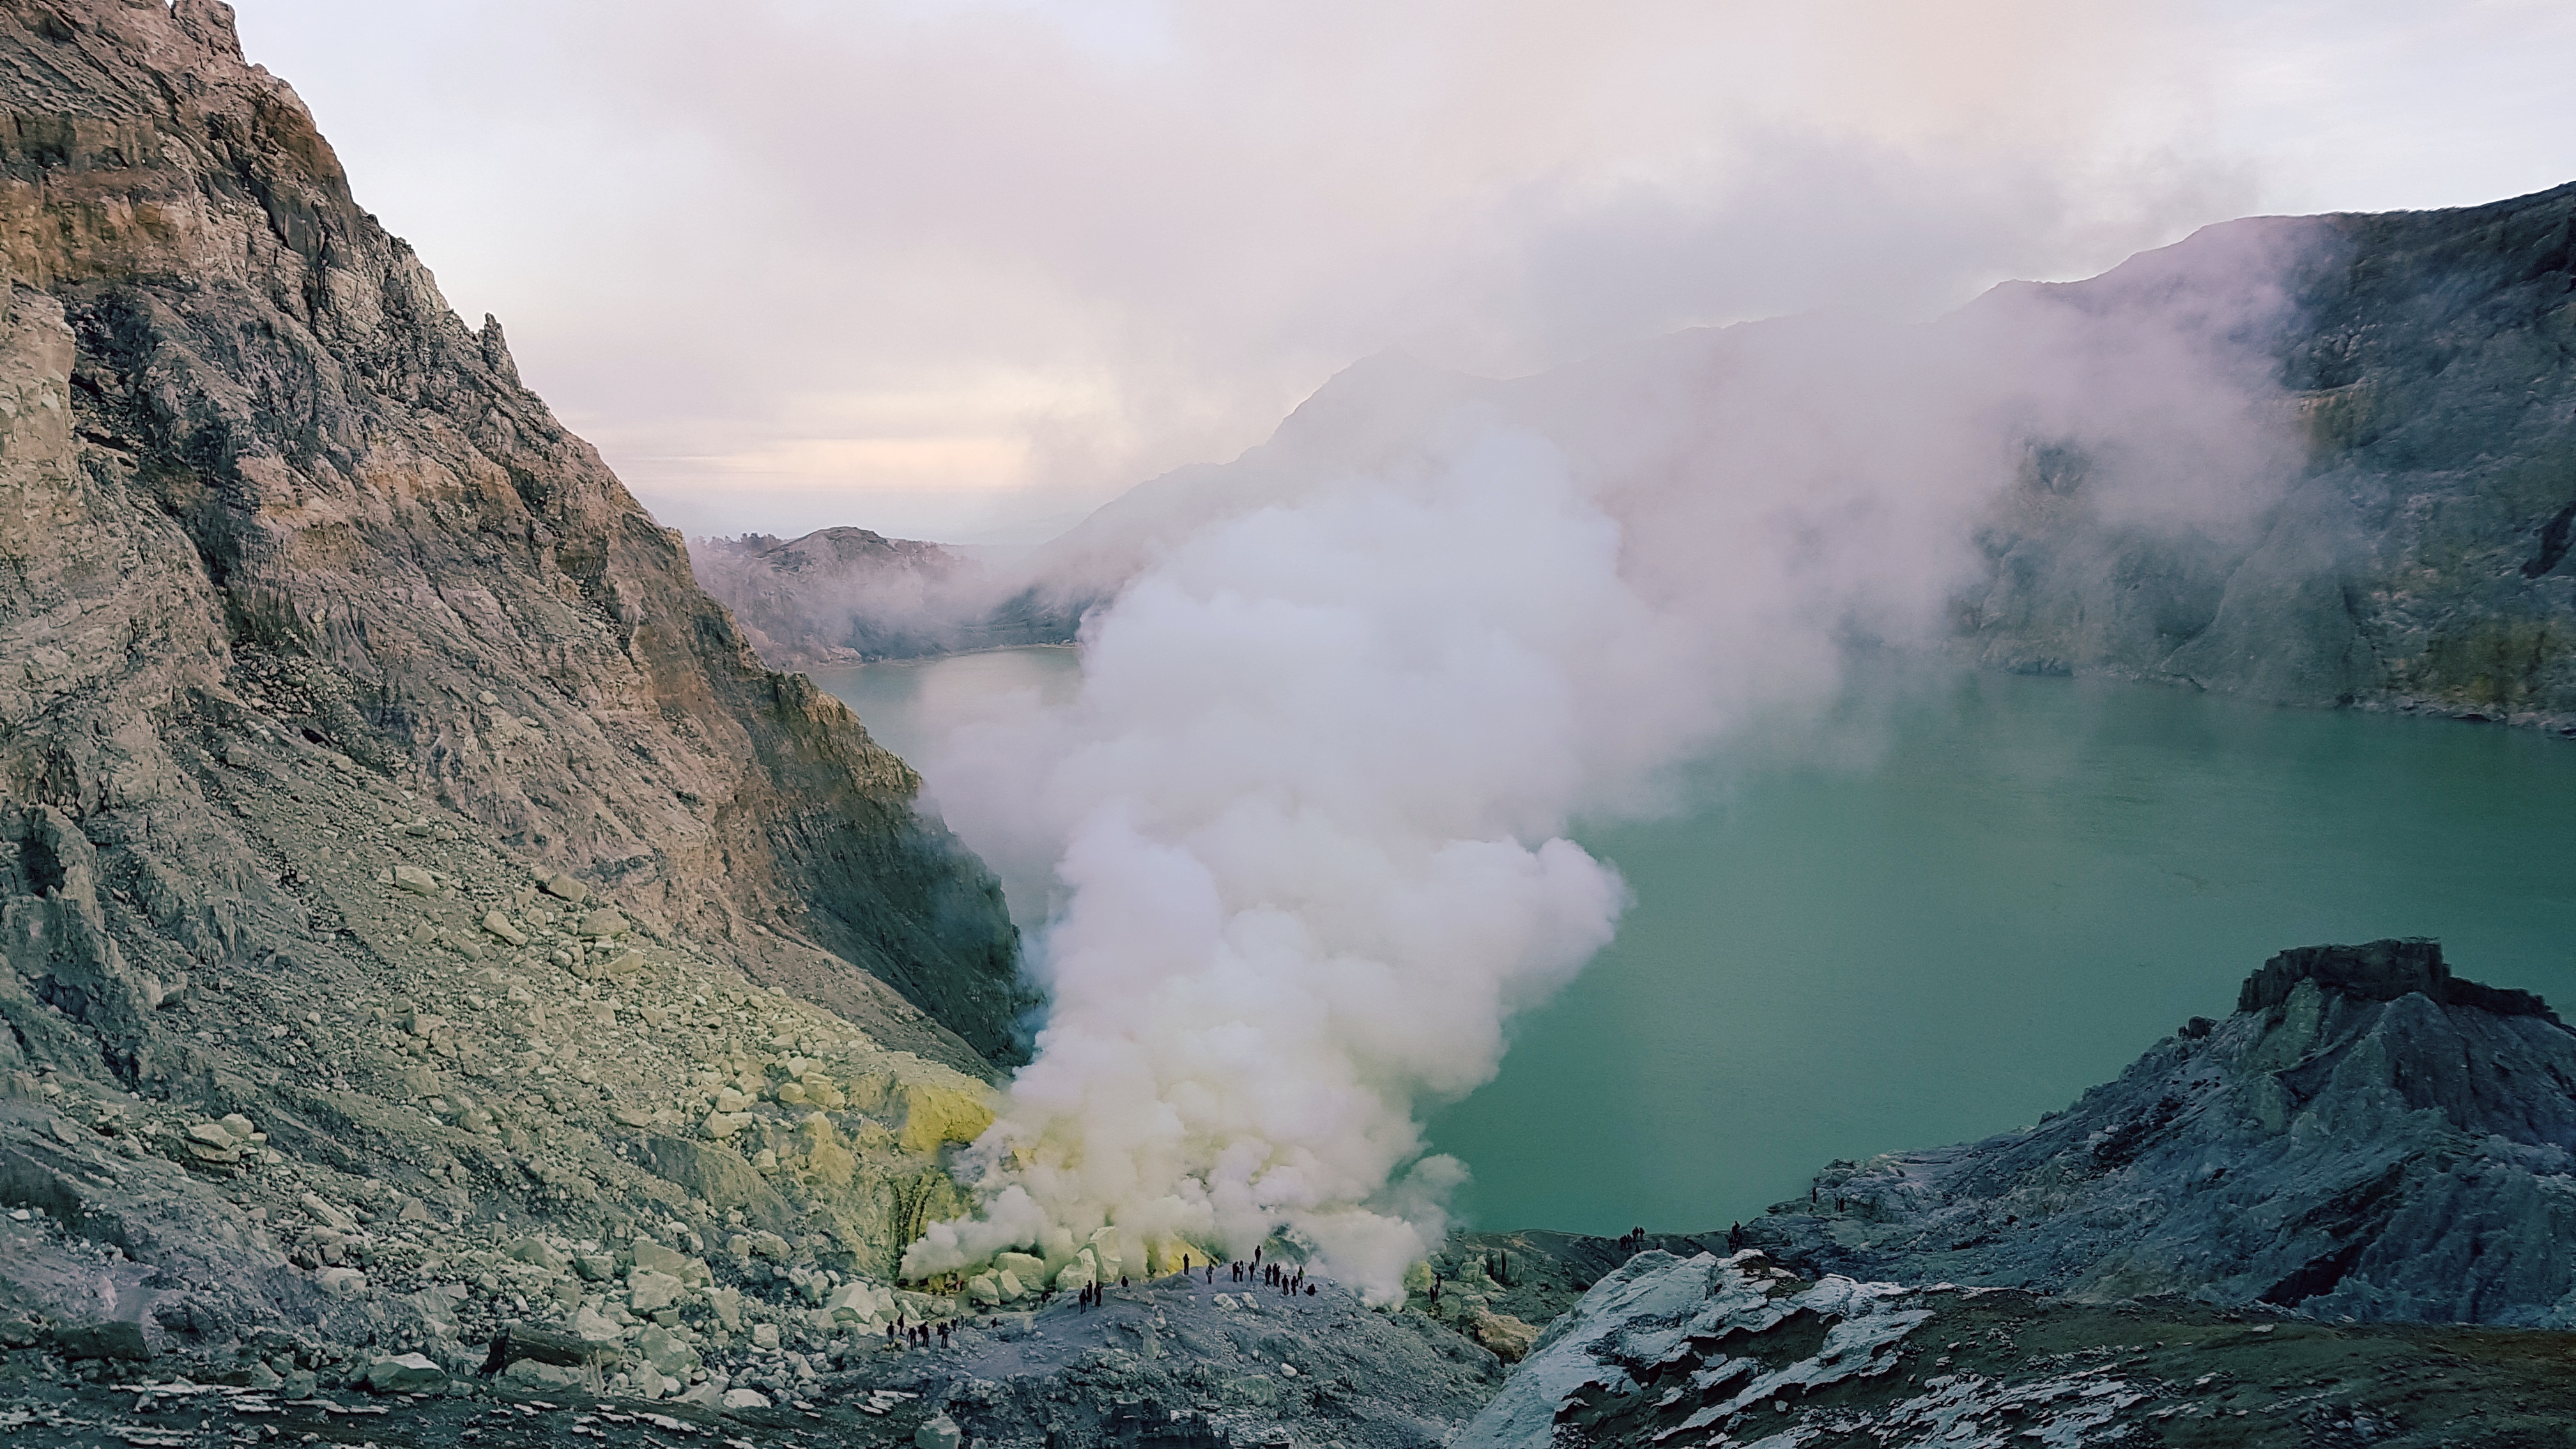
x=1310 y=806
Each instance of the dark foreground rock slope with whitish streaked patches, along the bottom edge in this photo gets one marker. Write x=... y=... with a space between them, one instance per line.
x=1738 y=1352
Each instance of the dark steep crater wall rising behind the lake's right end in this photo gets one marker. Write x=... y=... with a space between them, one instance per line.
x=2420 y=558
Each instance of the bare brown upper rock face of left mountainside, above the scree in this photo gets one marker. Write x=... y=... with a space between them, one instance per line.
x=264 y=486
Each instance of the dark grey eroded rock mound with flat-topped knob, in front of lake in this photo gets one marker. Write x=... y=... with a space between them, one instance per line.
x=2363 y=1138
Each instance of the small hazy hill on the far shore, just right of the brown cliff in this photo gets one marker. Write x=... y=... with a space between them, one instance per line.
x=844 y=597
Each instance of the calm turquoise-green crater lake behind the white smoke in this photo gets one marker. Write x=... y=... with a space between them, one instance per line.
x=1969 y=904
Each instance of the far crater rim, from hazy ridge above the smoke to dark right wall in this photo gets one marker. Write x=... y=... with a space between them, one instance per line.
x=2418 y=556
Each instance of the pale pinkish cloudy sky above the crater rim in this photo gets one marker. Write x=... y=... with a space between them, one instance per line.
x=944 y=267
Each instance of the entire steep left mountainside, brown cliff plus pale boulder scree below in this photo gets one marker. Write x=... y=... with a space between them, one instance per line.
x=419 y=904
